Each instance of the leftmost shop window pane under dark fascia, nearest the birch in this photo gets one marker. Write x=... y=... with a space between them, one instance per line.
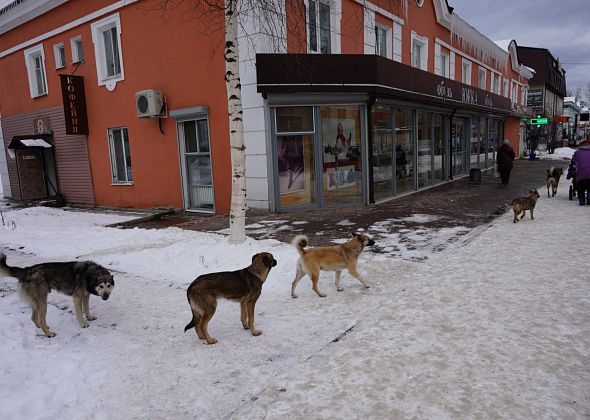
x=295 y=156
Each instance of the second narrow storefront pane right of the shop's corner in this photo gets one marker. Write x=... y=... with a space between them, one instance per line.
x=404 y=150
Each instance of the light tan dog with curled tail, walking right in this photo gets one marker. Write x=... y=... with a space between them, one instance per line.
x=329 y=258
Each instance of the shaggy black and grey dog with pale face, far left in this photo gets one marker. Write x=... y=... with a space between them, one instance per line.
x=76 y=279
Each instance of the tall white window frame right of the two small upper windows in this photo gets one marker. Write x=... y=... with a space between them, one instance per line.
x=98 y=28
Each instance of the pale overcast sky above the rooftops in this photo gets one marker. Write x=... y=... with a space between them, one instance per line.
x=563 y=27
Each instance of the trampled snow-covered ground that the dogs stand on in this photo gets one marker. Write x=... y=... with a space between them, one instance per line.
x=495 y=325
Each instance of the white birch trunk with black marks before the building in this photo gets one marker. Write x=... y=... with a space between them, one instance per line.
x=237 y=216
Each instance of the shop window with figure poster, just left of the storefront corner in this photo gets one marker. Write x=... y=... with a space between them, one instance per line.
x=342 y=167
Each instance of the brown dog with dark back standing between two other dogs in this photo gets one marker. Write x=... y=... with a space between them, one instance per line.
x=243 y=286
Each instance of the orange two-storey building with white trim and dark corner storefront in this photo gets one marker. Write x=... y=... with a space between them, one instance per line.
x=346 y=102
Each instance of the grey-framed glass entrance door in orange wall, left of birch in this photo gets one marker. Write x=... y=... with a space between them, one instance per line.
x=198 y=180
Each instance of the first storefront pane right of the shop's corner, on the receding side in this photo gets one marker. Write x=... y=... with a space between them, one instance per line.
x=382 y=122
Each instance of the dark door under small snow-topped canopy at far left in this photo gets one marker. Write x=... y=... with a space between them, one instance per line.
x=30 y=173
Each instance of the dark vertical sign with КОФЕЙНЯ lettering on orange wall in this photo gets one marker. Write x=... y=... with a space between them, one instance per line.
x=74 y=100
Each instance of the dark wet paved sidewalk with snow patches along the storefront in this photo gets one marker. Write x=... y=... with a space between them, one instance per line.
x=451 y=204
